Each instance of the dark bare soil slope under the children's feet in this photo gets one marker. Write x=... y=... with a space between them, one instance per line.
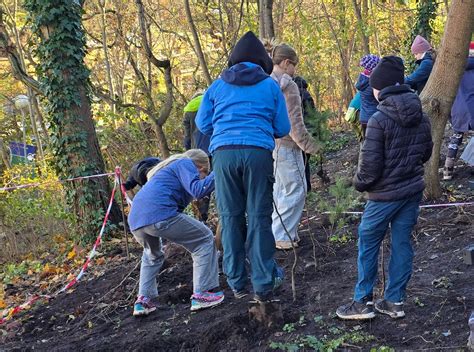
x=97 y=314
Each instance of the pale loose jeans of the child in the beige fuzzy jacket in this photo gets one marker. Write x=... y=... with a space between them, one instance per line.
x=289 y=193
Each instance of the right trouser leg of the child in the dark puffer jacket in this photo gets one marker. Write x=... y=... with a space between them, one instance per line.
x=401 y=259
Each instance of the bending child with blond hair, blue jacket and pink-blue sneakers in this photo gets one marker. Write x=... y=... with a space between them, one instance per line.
x=157 y=212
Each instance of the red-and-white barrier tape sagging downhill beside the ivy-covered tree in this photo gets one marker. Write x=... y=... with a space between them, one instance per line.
x=12 y=311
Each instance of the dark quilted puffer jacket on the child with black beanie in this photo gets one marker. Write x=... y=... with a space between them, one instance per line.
x=398 y=143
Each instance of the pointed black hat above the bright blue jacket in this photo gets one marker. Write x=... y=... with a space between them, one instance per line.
x=250 y=49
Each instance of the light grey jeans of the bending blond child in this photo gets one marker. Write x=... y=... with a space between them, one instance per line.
x=194 y=236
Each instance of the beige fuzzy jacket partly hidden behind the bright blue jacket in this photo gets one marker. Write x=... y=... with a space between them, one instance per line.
x=299 y=136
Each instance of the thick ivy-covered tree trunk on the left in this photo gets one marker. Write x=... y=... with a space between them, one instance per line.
x=74 y=144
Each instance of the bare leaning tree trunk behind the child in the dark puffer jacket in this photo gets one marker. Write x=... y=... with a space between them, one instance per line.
x=440 y=91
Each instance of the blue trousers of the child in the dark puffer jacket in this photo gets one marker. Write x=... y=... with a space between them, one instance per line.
x=402 y=216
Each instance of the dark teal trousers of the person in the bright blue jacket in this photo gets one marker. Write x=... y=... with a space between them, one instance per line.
x=244 y=183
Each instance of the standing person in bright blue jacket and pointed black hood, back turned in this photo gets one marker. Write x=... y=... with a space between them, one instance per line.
x=244 y=111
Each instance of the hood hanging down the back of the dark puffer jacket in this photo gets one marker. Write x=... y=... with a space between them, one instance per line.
x=401 y=104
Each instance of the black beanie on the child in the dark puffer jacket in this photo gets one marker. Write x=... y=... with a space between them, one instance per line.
x=388 y=72
